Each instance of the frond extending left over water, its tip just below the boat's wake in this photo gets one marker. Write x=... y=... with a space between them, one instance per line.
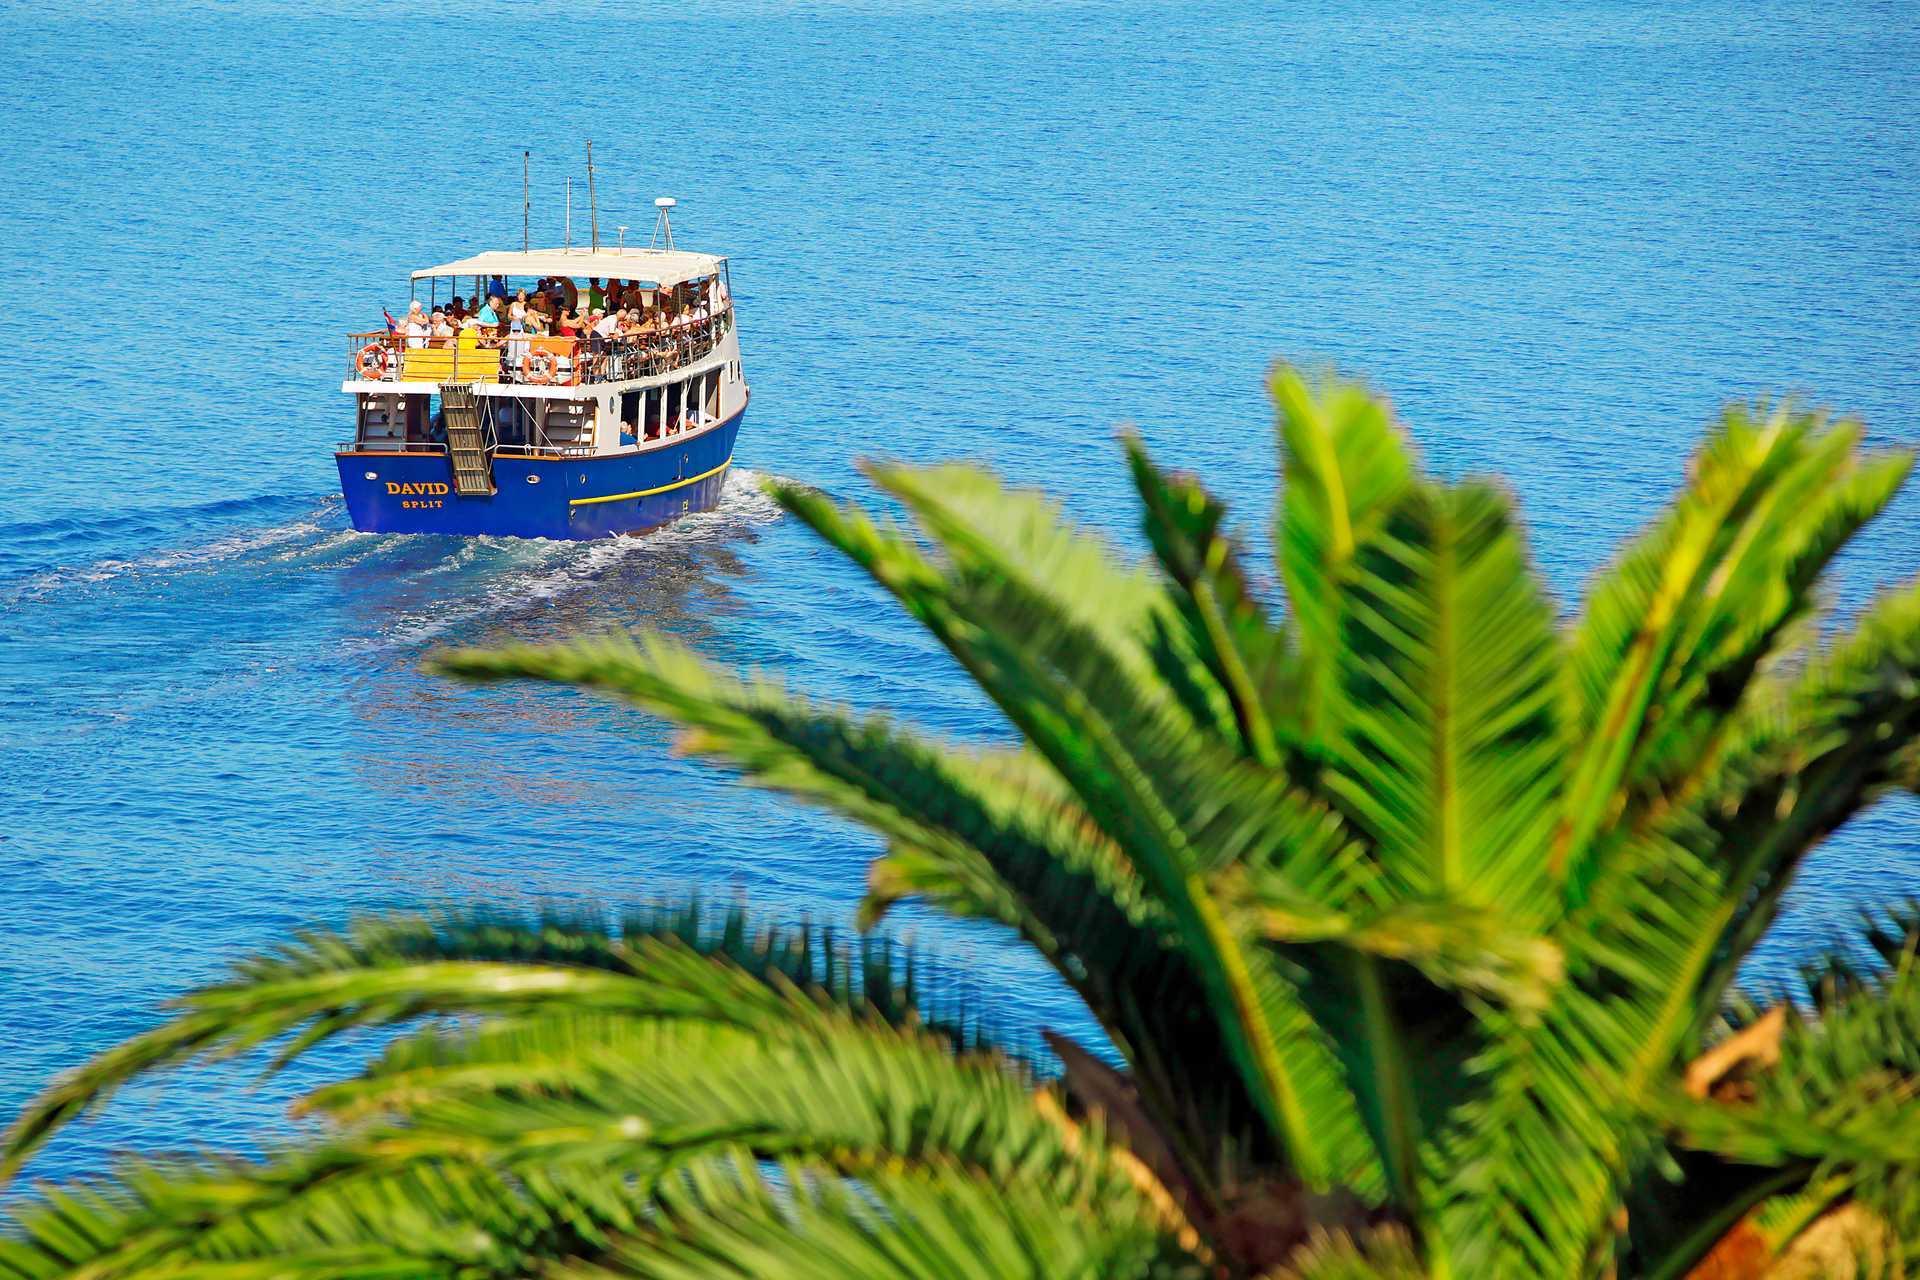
x=978 y=834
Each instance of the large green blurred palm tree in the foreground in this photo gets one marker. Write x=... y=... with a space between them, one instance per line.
x=1412 y=922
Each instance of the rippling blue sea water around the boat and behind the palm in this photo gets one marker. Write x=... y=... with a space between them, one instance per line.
x=1562 y=237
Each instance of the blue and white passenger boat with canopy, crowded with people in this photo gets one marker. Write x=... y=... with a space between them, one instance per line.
x=502 y=433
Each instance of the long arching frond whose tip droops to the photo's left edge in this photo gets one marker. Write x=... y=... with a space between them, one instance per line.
x=387 y=972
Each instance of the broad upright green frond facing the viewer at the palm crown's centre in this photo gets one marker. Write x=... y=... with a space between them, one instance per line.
x=1451 y=749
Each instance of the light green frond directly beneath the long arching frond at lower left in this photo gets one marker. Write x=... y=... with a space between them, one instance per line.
x=830 y=1089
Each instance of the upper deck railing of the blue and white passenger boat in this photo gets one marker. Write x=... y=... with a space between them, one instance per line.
x=533 y=360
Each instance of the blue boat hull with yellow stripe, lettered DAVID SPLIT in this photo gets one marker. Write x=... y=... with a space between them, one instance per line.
x=540 y=498
